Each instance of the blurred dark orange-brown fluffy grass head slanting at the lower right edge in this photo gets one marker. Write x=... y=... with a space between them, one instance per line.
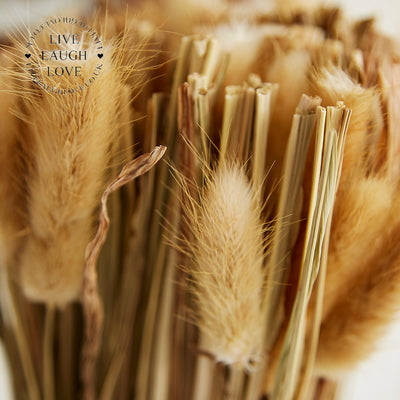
x=360 y=317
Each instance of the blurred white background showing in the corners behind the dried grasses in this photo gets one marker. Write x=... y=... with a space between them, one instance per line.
x=376 y=378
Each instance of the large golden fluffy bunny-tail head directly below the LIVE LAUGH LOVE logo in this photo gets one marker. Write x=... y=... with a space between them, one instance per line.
x=70 y=140
